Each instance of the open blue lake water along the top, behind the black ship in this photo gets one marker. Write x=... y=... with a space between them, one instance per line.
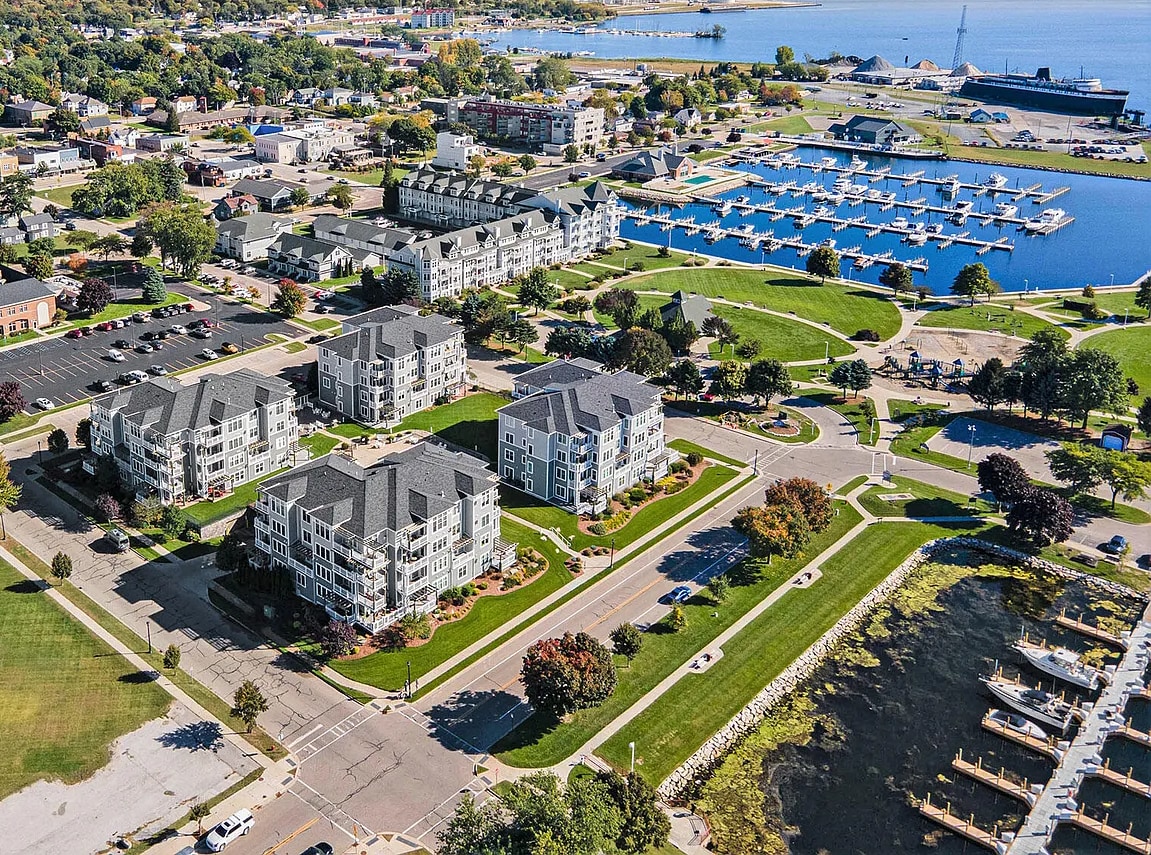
x=1107 y=39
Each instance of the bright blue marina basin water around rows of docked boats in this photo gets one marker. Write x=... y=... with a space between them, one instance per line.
x=1109 y=238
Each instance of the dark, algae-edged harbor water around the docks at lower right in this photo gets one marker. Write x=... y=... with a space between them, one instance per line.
x=895 y=707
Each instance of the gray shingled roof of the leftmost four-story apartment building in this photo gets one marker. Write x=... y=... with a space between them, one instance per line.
x=169 y=407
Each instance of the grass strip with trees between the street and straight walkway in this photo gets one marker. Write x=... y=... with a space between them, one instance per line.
x=542 y=742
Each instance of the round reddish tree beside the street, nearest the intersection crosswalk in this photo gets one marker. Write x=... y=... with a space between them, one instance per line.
x=569 y=674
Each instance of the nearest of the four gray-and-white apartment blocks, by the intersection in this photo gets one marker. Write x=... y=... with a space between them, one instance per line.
x=375 y=544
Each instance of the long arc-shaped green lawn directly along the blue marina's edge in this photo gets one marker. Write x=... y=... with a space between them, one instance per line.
x=844 y=308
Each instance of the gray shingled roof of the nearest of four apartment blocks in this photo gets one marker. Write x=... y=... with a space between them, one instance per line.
x=403 y=488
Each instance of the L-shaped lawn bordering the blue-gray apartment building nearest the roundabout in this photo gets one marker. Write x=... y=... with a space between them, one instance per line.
x=651 y=516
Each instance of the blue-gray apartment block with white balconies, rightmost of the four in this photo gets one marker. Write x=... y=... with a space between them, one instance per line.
x=583 y=436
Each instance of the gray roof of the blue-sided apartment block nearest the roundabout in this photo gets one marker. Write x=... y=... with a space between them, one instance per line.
x=596 y=404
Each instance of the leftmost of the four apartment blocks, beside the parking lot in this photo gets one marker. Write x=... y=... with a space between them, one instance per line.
x=182 y=442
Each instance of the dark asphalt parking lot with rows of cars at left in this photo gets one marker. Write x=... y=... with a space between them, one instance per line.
x=68 y=370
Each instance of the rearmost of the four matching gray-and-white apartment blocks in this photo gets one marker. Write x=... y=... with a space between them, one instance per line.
x=392 y=363
